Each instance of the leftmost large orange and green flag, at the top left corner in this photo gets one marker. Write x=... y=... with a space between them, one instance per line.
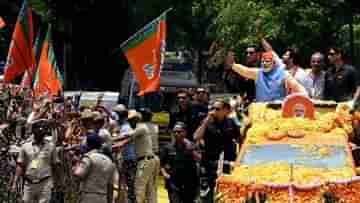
x=20 y=55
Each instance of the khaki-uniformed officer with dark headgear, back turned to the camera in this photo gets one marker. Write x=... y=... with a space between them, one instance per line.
x=96 y=173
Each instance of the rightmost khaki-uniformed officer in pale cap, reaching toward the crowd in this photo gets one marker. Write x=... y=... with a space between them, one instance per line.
x=144 y=181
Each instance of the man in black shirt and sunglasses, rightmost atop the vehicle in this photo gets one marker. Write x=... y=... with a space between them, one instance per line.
x=341 y=80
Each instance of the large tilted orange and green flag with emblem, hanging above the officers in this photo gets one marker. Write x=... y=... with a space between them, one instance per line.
x=145 y=54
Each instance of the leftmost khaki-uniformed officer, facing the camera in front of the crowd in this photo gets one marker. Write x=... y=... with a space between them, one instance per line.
x=36 y=163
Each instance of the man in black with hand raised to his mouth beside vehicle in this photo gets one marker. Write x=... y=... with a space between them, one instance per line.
x=219 y=134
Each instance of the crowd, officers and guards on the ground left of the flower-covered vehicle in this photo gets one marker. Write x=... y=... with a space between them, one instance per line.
x=117 y=150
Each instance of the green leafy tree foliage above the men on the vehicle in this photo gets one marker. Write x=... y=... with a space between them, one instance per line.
x=309 y=25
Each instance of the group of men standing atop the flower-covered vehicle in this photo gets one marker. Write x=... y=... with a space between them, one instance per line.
x=328 y=78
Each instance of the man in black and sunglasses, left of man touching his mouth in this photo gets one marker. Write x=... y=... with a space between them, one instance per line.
x=178 y=167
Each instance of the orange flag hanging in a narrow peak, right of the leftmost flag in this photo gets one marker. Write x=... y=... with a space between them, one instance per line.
x=48 y=80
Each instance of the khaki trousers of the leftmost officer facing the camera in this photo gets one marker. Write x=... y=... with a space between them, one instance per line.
x=38 y=192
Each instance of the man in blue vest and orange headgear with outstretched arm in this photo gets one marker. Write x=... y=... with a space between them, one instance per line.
x=271 y=80
